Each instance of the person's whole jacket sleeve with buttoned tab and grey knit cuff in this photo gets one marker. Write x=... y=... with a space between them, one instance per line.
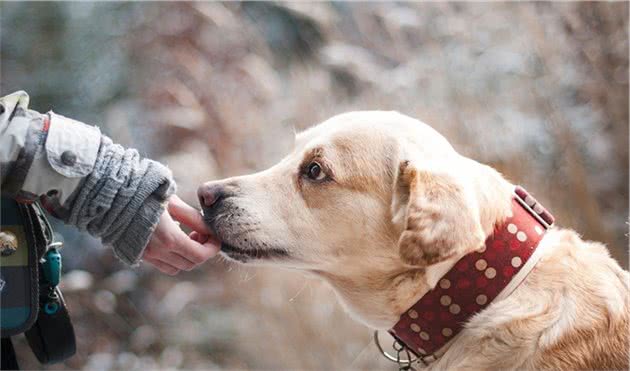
x=86 y=180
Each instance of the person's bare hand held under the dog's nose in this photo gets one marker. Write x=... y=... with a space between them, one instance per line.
x=170 y=250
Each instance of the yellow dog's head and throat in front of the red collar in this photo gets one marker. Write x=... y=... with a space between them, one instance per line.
x=376 y=203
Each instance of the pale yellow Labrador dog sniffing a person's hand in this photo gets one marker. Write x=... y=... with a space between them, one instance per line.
x=381 y=207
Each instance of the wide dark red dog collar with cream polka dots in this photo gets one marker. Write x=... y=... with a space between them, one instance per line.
x=475 y=280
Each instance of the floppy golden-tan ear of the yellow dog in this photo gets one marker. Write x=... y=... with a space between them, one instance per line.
x=438 y=219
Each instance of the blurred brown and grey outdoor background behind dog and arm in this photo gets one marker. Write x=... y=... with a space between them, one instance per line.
x=537 y=90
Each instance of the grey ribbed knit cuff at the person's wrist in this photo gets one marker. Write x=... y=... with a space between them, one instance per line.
x=121 y=200
